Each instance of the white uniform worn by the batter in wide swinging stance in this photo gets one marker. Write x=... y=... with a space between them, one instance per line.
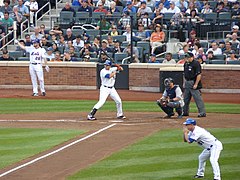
x=107 y=88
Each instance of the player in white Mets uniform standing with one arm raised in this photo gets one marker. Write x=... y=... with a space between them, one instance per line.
x=37 y=58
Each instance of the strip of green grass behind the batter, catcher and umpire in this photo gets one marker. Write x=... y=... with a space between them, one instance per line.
x=11 y=105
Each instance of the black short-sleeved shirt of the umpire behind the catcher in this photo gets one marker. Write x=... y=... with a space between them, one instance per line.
x=191 y=70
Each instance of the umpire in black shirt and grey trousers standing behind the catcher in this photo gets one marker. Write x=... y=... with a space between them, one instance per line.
x=193 y=85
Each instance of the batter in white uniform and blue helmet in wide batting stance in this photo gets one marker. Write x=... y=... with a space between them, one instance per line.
x=108 y=77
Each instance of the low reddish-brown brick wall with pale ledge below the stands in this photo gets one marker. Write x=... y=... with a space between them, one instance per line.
x=145 y=77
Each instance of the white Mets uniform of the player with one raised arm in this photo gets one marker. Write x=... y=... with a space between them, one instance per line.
x=35 y=68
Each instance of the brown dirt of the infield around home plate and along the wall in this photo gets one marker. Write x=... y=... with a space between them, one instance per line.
x=93 y=149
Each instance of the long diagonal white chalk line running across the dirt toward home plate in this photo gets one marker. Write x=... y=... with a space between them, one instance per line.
x=56 y=151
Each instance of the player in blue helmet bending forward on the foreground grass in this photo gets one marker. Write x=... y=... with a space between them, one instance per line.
x=212 y=147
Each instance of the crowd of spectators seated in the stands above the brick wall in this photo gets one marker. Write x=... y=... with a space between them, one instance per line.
x=149 y=24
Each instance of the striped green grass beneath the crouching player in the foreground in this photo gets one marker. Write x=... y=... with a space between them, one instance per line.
x=165 y=156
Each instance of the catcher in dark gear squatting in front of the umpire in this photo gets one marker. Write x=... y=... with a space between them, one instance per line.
x=172 y=98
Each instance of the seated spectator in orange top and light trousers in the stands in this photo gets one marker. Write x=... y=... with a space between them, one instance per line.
x=157 y=38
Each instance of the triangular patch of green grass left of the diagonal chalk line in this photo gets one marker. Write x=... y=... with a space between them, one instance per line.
x=17 y=144
